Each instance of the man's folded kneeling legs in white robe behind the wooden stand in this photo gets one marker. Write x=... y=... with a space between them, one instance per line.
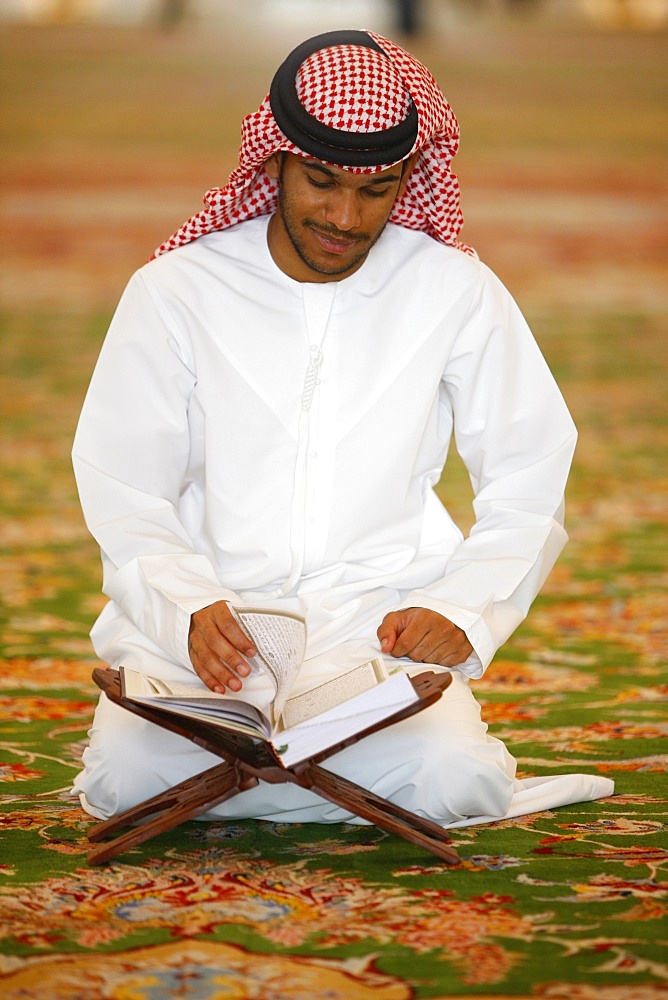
x=440 y=763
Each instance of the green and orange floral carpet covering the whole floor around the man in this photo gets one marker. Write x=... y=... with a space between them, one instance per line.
x=561 y=905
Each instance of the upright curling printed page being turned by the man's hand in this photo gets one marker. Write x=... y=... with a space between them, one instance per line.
x=280 y=639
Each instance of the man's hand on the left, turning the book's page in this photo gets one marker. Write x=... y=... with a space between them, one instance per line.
x=217 y=647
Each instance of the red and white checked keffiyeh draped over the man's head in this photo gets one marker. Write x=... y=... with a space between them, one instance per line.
x=356 y=89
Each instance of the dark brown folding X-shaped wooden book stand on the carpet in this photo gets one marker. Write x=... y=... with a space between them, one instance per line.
x=245 y=763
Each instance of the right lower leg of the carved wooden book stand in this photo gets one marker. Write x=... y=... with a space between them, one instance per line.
x=378 y=811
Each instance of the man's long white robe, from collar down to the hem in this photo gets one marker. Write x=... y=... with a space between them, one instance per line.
x=251 y=438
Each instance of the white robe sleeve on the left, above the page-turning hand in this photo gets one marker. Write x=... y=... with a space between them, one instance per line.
x=130 y=457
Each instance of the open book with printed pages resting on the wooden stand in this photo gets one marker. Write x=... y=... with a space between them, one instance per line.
x=294 y=725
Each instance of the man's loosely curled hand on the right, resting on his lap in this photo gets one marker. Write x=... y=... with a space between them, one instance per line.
x=423 y=636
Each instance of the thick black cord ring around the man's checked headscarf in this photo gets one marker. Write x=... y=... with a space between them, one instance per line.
x=347 y=149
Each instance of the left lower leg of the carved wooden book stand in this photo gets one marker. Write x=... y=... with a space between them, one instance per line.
x=184 y=801
